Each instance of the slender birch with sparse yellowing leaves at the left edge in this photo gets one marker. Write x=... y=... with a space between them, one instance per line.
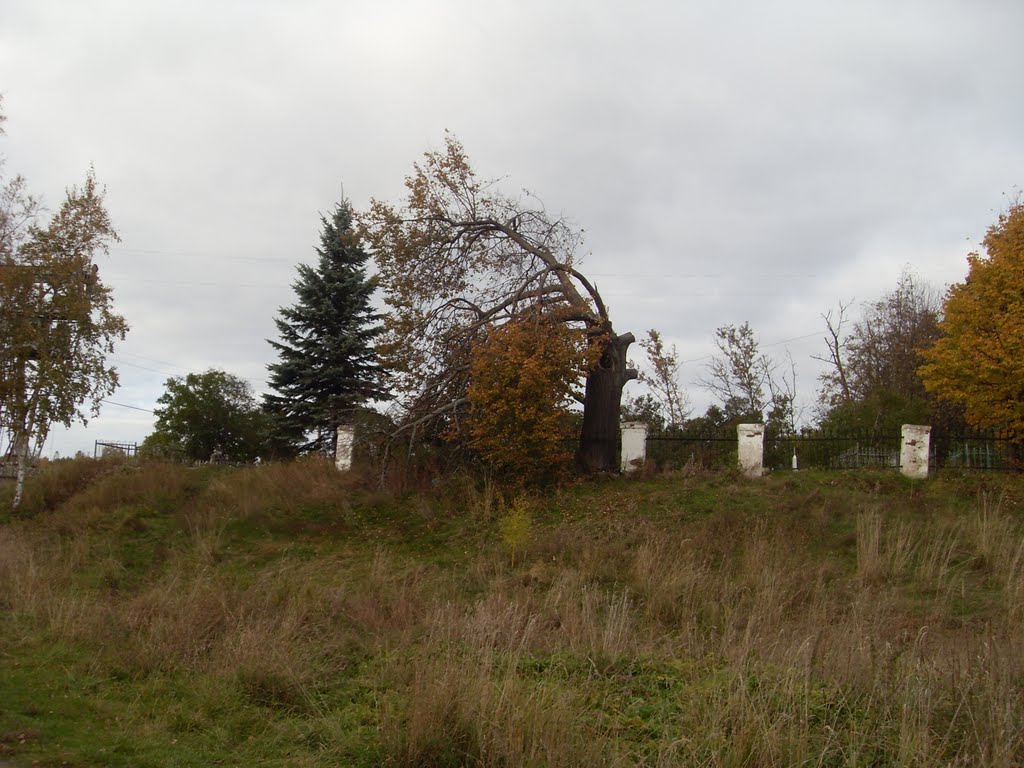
x=58 y=324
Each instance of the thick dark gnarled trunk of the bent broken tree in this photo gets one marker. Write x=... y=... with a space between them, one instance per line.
x=599 y=450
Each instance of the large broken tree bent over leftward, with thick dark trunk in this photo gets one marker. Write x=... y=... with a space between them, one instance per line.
x=457 y=259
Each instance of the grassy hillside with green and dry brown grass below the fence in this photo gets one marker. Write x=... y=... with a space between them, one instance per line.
x=283 y=615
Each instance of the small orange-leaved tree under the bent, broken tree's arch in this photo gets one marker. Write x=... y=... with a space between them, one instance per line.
x=522 y=379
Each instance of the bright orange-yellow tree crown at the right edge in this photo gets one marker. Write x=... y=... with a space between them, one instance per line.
x=979 y=360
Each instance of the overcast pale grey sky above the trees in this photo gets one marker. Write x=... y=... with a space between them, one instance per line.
x=730 y=161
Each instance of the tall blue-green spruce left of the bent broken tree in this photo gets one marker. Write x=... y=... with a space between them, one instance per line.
x=328 y=366
